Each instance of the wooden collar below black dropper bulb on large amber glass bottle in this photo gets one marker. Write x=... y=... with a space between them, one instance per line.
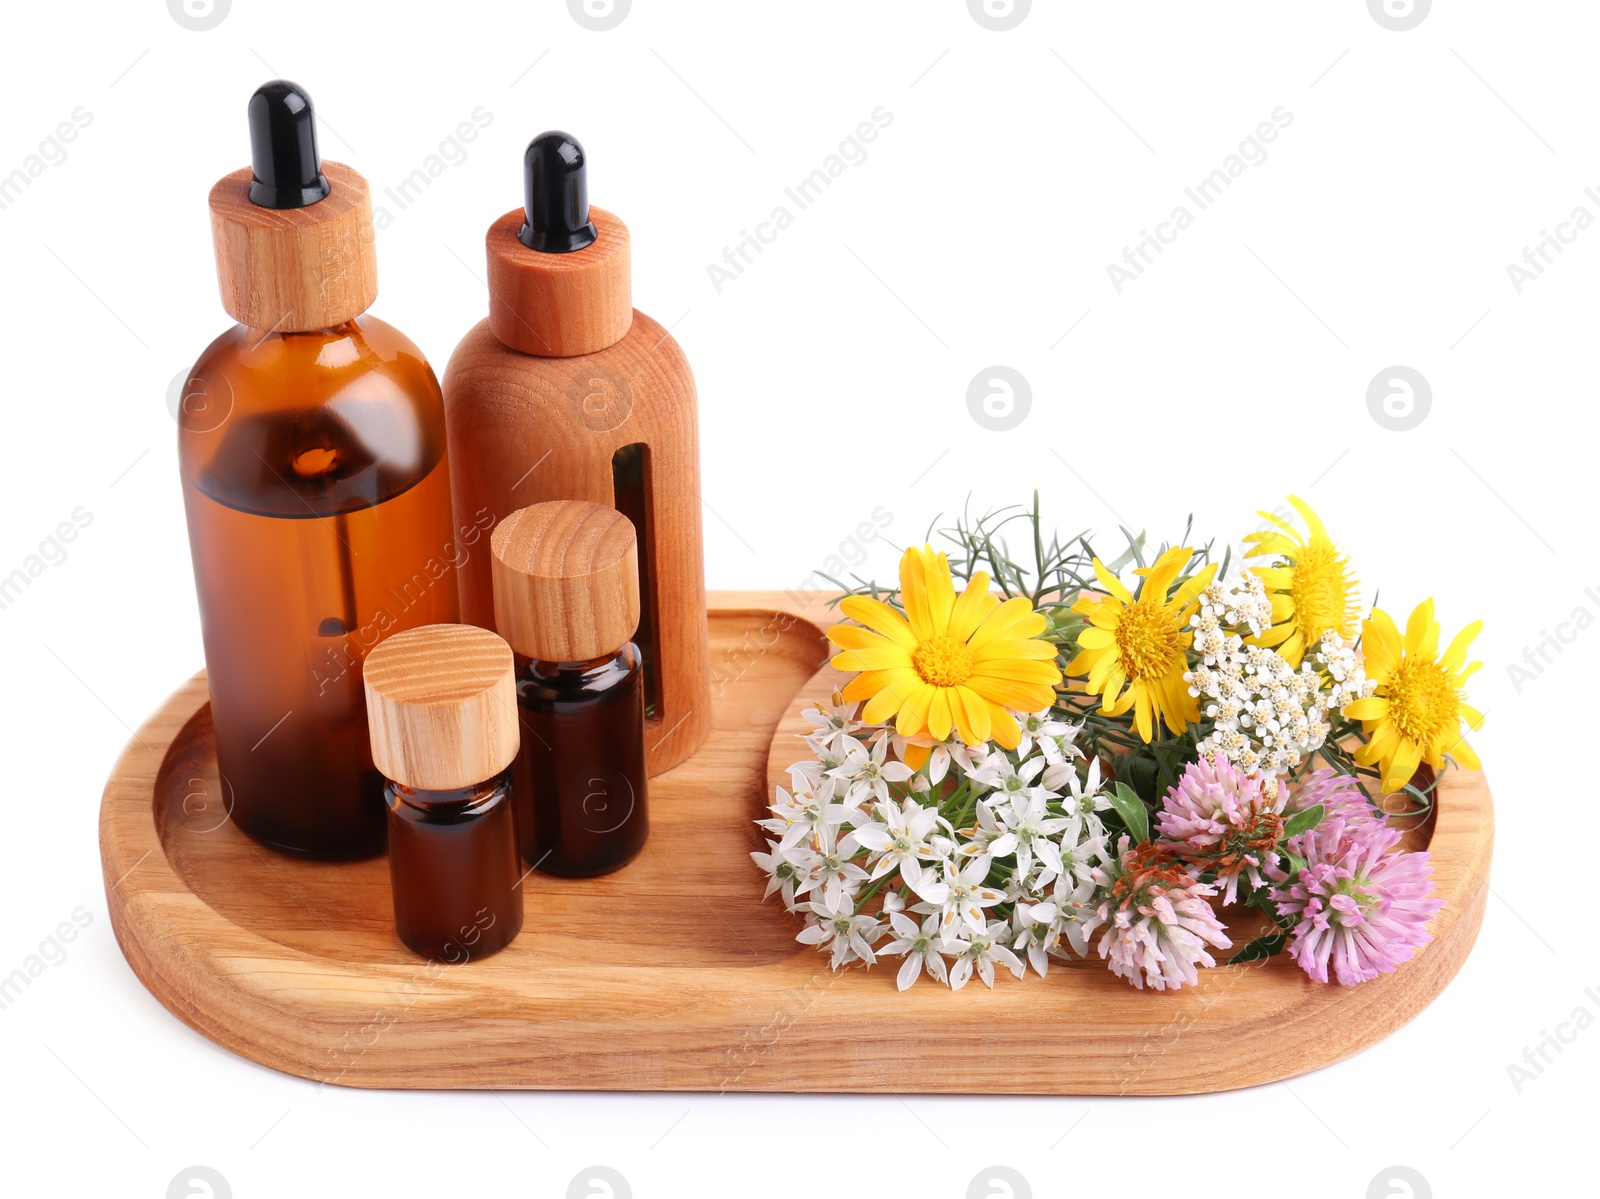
x=295 y=270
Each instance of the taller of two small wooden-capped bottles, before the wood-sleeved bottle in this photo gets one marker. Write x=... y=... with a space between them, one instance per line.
x=567 y=599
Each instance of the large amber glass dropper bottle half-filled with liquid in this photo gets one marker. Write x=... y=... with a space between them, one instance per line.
x=313 y=455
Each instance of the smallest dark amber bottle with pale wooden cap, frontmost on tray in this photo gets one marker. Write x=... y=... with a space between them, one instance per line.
x=442 y=710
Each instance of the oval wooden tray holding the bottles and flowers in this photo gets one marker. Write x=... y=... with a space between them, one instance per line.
x=673 y=974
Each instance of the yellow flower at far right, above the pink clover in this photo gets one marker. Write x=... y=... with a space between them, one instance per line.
x=1415 y=716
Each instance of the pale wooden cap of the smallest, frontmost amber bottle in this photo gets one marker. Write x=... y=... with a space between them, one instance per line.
x=442 y=707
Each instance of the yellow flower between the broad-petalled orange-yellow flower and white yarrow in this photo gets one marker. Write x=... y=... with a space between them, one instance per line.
x=1142 y=644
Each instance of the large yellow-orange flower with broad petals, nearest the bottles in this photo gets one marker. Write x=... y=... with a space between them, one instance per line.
x=951 y=662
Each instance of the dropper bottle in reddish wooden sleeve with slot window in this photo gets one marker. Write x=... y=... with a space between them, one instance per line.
x=569 y=393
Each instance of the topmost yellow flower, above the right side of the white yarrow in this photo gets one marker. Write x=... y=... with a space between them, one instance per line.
x=1311 y=585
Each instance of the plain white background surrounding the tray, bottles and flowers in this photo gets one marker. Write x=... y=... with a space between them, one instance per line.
x=833 y=379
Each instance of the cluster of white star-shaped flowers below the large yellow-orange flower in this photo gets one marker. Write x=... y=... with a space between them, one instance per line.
x=982 y=857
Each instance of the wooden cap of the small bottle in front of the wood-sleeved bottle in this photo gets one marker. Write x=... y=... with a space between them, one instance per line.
x=566 y=580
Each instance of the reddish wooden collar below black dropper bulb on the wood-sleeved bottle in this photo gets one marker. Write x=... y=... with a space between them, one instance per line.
x=559 y=307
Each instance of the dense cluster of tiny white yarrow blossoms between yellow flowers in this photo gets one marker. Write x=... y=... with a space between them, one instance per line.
x=1268 y=716
